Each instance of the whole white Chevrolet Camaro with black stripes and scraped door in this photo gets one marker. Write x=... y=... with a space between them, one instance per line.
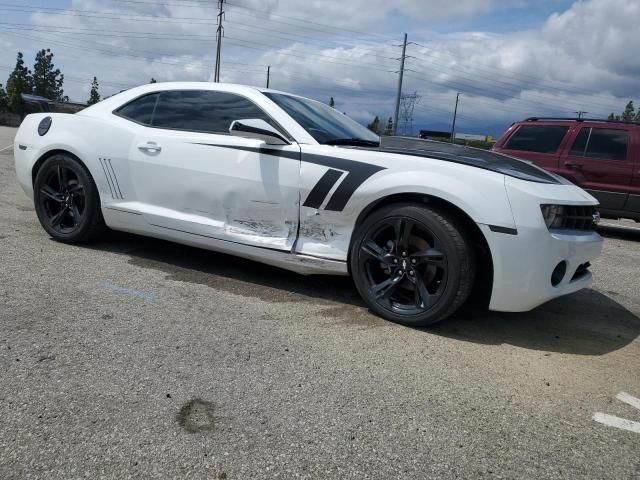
x=291 y=182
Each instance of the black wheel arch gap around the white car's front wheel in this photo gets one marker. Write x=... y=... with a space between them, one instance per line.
x=483 y=286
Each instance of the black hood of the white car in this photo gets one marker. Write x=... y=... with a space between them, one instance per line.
x=474 y=157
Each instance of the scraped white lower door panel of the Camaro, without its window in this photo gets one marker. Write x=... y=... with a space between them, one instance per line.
x=196 y=185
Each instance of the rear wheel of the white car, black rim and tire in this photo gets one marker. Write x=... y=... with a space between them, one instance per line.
x=66 y=200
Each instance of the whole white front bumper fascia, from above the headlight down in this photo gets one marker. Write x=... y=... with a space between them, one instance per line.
x=523 y=263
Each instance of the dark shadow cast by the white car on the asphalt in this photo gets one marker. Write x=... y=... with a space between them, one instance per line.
x=585 y=323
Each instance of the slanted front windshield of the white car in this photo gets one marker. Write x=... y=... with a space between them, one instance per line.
x=325 y=124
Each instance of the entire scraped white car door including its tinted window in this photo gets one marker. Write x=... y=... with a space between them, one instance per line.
x=213 y=184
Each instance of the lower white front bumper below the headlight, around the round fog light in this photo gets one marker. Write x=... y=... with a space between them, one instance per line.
x=523 y=265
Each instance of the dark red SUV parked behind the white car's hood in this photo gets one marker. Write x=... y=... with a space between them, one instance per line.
x=602 y=157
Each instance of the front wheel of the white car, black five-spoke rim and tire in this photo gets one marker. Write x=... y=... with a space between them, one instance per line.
x=412 y=264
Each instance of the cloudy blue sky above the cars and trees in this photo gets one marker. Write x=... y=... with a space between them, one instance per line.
x=509 y=59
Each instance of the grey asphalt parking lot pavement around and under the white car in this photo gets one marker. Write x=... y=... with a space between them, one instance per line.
x=139 y=358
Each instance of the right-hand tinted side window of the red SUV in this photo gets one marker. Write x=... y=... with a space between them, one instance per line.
x=606 y=143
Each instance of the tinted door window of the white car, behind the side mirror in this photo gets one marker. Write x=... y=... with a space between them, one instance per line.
x=203 y=111
